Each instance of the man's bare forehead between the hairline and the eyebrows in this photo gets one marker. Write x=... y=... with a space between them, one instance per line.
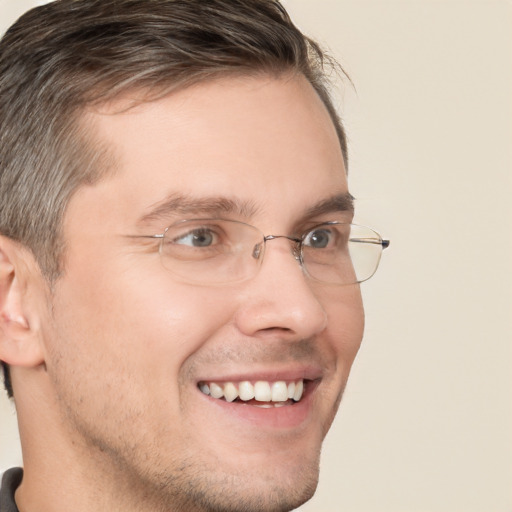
x=265 y=142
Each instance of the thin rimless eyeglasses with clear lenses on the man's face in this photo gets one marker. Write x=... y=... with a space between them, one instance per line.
x=220 y=251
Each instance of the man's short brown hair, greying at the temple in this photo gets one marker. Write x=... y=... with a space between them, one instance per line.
x=60 y=58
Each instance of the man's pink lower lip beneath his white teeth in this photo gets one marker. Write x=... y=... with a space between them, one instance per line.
x=285 y=417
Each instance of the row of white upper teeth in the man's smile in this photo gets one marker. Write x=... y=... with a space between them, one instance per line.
x=262 y=391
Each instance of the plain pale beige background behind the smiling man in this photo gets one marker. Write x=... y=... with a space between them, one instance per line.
x=426 y=423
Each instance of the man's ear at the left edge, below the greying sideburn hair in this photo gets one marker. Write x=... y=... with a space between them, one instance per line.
x=19 y=340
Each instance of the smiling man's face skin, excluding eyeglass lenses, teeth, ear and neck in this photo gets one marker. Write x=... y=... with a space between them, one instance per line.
x=129 y=344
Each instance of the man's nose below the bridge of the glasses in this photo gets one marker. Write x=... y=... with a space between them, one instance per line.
x=280 y=298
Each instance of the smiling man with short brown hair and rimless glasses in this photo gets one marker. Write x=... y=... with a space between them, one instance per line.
x=179 y=280
